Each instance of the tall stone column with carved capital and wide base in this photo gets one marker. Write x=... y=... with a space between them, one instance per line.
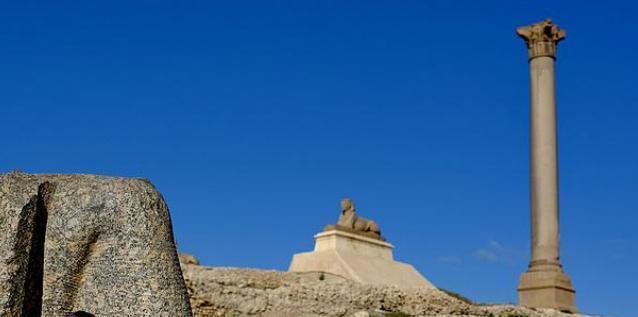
x=544 y=284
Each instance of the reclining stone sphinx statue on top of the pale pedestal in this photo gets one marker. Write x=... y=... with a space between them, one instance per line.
x=351 y=222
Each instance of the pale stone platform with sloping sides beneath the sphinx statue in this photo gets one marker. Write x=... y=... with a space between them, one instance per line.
x=358 y=258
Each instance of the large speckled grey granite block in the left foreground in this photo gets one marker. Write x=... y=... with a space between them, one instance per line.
x=104 y=245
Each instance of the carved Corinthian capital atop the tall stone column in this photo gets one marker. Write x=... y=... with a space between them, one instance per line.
x=541 y=38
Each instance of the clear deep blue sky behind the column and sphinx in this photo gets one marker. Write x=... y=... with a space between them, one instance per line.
x=254 y=118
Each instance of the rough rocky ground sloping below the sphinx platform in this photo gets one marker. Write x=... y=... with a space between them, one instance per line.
x=246 y=292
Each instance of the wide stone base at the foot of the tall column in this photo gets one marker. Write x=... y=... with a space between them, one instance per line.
x=547 y=289
